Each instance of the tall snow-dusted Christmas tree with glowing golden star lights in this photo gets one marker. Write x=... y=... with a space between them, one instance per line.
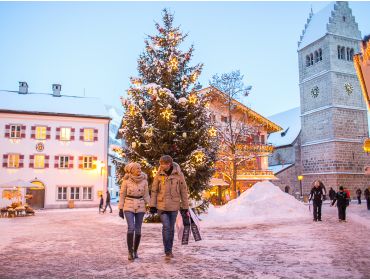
x=165 y=113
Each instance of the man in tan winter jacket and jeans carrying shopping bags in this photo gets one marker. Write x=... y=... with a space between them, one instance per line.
x=169 y=194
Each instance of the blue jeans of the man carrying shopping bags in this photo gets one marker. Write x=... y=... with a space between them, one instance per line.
x=168 y=219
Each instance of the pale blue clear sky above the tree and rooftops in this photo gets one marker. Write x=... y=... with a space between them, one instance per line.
x=95 y=45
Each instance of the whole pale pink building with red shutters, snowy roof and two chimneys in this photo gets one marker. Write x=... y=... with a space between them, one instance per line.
x=56 y=141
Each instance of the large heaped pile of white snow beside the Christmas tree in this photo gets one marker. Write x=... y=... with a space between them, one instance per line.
x=264 y=202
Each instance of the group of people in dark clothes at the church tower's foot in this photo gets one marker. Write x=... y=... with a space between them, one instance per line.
x=342 y=198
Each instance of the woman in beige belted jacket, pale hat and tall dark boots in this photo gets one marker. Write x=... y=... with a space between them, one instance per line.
x=134 y=194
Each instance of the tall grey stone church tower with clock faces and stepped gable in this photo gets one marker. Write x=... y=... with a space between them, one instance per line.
x=333 y=112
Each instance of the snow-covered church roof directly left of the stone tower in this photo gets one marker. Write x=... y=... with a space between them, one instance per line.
x=290 y=121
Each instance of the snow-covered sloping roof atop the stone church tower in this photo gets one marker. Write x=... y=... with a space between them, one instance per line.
x=316 y=28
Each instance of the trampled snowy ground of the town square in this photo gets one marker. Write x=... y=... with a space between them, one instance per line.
x=80 y=243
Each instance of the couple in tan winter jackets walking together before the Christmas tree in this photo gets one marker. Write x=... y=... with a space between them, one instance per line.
x=169 y=194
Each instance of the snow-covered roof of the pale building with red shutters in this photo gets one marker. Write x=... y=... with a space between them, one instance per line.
x=42 y=103
